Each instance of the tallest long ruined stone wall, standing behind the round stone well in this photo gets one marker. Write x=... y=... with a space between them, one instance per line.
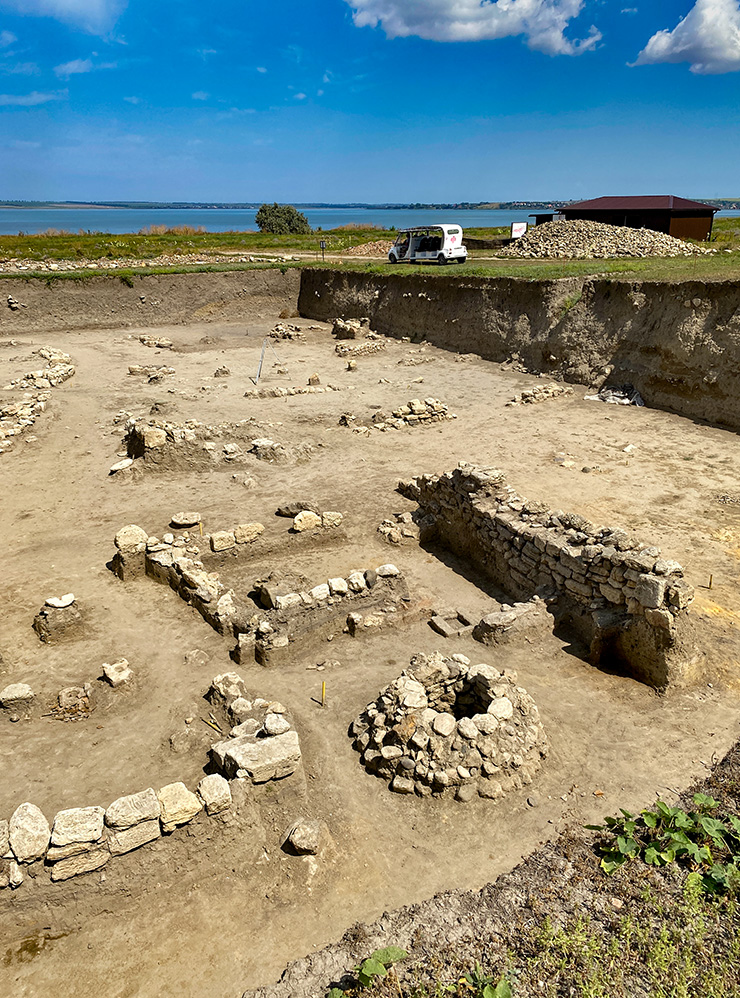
x=621 y=595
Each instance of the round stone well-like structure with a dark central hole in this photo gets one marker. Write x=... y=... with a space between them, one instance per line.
x=446 y=727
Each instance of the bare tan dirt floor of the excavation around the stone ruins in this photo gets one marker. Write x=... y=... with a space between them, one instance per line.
x=213 y=914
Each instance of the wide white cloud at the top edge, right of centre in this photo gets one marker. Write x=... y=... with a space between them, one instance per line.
x=542 y=22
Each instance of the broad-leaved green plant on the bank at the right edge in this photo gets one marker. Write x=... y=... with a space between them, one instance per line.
x=707 y=843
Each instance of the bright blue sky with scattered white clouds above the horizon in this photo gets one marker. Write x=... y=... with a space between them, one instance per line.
x=368 y=100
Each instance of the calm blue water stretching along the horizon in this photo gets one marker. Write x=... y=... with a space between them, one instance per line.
x=120 y=220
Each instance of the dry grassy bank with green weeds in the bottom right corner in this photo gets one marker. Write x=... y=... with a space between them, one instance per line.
x=560 y=926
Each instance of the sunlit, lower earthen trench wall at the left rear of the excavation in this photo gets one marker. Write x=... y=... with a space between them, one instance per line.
x=144 y=300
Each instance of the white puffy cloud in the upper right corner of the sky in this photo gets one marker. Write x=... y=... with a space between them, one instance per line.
x=708 y=38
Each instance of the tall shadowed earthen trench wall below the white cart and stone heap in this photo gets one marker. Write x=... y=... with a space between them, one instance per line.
x=678 y=344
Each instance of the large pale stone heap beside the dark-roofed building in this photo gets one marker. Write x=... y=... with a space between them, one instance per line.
x=596 y=240
